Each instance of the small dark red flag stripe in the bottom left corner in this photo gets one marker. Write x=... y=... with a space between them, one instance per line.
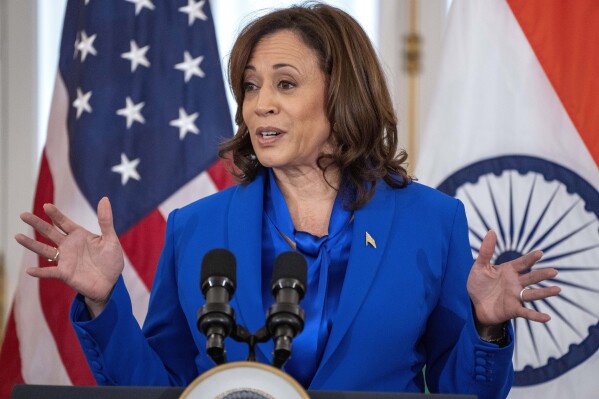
x=10 y=358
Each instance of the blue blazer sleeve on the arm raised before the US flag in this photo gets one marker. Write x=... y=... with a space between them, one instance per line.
x=120 y=353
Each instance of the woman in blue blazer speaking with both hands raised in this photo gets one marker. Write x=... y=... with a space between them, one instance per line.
x=390 y=288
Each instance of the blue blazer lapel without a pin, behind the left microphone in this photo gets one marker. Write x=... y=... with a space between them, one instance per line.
x=245 y=241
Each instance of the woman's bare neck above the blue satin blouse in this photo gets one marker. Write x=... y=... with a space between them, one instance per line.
x=309 y=197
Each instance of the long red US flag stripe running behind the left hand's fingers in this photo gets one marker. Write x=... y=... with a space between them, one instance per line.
x=56 y=297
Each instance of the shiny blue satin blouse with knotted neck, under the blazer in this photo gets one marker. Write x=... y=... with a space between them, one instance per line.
x=327 y=259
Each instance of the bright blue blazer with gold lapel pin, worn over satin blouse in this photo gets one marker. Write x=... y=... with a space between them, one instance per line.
x=403 y=303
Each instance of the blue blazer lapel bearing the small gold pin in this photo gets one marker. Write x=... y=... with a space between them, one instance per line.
x=372 y=224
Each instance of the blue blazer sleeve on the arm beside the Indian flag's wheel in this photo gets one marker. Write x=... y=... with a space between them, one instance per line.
x=457 y=359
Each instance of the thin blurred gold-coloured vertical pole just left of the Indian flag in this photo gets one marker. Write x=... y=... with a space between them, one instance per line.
x=412 y=66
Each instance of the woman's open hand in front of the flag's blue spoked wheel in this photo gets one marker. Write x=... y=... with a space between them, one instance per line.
x=495 y=290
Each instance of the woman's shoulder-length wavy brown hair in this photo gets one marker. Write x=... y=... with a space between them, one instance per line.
x=358 y=104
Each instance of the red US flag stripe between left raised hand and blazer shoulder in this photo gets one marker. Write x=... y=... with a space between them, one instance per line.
x=143 y=243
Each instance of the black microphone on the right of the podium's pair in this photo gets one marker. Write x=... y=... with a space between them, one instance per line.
x=285 y=318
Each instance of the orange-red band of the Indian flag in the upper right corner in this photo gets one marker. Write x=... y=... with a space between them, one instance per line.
x=565 y=37
